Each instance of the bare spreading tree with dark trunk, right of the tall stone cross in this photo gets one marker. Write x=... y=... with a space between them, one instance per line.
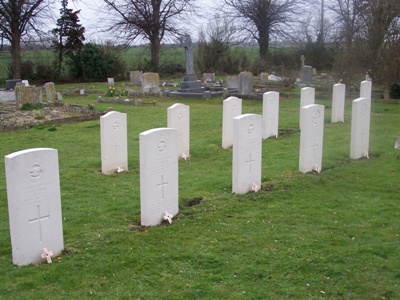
x=264 y=19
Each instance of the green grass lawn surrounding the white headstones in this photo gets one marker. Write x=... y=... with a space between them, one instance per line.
x=333 y=235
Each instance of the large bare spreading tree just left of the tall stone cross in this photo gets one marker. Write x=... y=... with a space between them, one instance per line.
x=152 y=20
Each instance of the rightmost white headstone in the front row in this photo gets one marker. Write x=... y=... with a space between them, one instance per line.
x=360 y=125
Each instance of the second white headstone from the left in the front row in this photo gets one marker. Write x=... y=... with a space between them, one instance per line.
x=158 y=175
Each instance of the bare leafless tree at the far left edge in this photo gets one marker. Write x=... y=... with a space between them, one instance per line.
x=17 y=18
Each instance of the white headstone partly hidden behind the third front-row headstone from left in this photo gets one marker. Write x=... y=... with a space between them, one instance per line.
x=231 y=108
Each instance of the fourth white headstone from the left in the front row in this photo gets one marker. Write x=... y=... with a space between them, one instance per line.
x=311 y=138
